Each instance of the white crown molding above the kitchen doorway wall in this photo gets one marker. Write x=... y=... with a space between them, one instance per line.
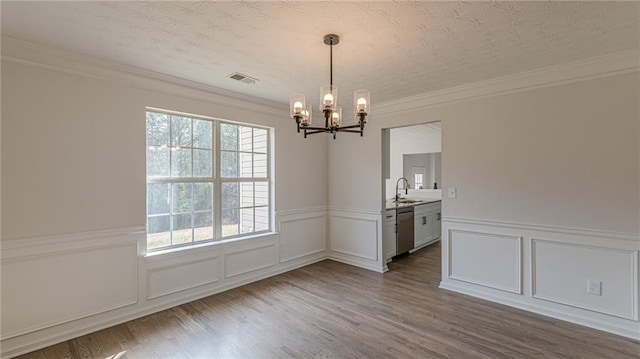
x=590 y=68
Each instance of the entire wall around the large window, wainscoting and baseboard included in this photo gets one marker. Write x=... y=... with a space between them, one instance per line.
x=73 y=210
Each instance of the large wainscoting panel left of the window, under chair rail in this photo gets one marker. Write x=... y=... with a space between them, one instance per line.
x=44 y=290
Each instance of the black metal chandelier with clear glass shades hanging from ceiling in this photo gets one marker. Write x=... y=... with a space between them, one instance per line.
x=301 y=112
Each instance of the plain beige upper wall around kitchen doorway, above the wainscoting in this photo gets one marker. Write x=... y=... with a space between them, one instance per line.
x=564 y=155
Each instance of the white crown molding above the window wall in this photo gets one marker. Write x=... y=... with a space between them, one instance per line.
x=25 y=52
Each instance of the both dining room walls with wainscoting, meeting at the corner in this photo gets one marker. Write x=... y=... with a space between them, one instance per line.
x=529 y=197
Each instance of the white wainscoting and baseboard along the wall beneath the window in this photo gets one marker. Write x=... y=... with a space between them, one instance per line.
x=147 y=285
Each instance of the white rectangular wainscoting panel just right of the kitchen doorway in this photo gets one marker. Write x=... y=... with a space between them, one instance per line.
x=486 y=259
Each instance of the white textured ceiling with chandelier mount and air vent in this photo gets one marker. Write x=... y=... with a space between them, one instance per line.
x=395 y=49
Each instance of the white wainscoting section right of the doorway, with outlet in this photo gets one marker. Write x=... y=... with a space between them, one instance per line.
x=480 y=259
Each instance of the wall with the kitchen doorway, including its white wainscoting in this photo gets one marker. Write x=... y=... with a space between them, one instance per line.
x=548 y=186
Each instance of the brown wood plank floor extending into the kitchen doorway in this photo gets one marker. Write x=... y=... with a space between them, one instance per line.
x=332 y=310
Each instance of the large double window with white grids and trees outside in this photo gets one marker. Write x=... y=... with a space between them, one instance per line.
x=203 y=187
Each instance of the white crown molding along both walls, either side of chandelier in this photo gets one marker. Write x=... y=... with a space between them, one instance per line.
x=25 y=52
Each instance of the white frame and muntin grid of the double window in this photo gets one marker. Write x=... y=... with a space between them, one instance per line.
x=217 y=180
